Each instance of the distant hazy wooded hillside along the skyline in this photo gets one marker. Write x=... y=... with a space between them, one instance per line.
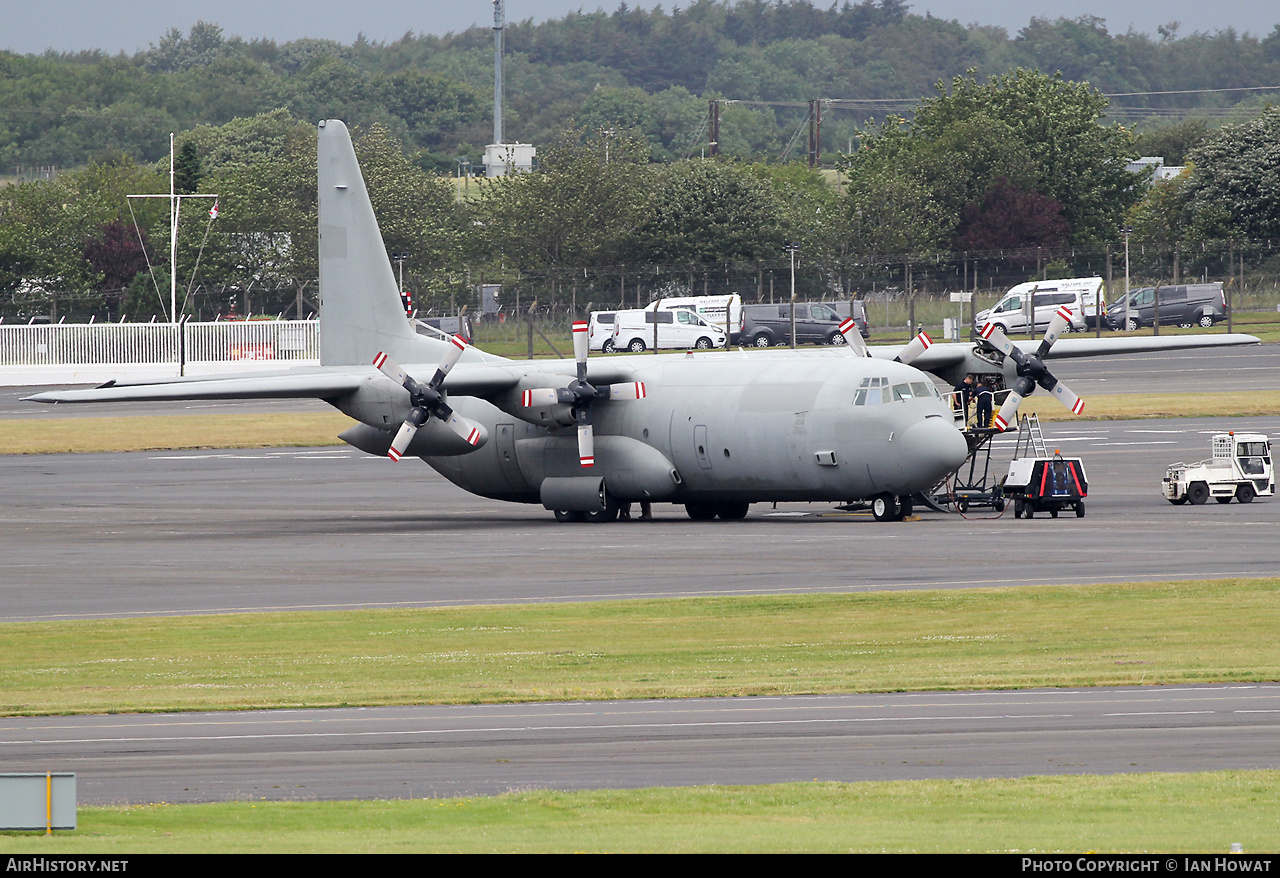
x=646 y=72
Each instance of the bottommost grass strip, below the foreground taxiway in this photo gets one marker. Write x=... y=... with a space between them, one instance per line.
x=1133 y=813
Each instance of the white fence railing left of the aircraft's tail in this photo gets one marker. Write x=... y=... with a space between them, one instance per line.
x=75 y=354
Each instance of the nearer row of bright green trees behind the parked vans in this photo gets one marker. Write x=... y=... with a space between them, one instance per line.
x=1018 y=172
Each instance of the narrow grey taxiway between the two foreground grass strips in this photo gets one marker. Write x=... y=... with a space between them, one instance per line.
x=488 y=749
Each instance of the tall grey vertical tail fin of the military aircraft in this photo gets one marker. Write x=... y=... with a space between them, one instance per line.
x=360 y=304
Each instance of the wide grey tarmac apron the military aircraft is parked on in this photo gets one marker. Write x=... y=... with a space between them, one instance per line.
x=92 y=536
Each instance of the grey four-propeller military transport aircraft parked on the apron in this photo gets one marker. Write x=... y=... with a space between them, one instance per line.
x=715 y=432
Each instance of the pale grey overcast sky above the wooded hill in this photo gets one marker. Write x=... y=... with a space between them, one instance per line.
x=134 y=25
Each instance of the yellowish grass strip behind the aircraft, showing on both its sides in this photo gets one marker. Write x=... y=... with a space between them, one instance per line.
x=54 y=436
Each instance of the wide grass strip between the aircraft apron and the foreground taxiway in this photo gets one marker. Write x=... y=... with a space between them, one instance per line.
x=1107 y=635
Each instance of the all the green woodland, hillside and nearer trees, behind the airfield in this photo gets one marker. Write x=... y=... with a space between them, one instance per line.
x=1003 y=158
